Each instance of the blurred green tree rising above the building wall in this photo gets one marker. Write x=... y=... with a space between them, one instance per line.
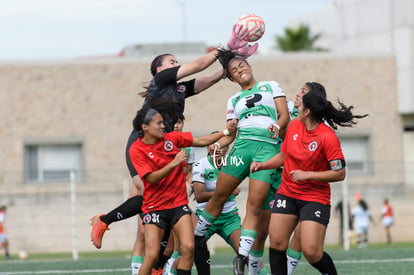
x=298 y=39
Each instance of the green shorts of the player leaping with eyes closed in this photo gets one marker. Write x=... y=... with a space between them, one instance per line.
x=244 y=152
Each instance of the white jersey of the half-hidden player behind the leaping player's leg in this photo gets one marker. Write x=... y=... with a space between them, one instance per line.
x=206 y=173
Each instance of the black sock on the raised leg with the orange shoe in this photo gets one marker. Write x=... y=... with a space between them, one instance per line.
x=129 y=208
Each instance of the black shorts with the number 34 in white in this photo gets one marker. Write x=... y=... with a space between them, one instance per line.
x=305 y=210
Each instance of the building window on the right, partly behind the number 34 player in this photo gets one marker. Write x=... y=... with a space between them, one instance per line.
x=355 y=150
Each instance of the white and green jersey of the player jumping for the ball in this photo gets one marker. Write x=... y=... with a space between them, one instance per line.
x=255 y=109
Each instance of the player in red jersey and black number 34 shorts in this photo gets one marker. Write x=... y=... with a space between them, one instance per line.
x=312 y=158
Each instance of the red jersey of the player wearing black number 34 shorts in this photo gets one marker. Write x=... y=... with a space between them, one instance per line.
x=308 y=151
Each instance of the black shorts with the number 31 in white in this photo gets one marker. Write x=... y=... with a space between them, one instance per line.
x=166 y=219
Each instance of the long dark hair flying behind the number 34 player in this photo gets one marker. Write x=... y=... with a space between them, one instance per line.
x=322 y=109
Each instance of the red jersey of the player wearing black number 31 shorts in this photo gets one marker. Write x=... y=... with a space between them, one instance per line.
x=171 y=191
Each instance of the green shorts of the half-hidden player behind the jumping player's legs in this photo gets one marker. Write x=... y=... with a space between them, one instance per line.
x=224 y=225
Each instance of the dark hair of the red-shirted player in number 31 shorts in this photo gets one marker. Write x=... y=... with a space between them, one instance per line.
x=158 y=105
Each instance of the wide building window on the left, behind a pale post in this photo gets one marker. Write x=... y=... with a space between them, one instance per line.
x=52 y=163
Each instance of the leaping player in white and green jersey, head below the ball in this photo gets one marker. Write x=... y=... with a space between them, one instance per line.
x=255 y=109
